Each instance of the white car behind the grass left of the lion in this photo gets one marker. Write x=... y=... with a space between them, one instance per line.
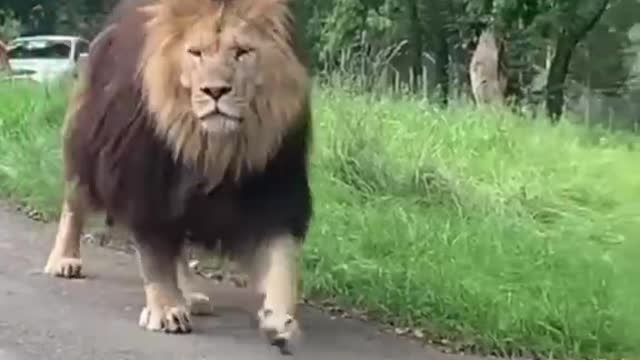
x=44 y=58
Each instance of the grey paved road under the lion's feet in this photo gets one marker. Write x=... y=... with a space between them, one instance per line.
x=96 y=317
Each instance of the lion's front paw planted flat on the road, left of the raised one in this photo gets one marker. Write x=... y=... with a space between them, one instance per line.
x=174 y=319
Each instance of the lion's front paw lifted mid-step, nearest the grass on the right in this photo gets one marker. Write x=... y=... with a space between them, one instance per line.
x=281 y=330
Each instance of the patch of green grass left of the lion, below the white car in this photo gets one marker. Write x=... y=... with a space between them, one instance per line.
x=30 y=125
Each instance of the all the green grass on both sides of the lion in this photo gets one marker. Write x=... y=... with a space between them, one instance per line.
x=476 y=225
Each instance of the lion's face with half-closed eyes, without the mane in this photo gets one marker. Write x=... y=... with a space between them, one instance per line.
x=221 y=73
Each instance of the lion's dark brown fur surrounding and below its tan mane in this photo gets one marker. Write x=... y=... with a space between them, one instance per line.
x=112 y=151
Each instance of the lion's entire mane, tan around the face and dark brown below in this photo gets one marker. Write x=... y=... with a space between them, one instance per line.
x=133 y=146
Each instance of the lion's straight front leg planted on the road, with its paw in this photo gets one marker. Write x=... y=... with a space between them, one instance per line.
x=166 y=308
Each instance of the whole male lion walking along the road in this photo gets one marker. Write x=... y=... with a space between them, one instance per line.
x=192 y=119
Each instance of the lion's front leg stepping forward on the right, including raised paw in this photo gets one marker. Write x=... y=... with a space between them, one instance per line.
x=275 y=276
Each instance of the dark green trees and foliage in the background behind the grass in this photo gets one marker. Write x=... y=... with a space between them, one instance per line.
x=425 y=45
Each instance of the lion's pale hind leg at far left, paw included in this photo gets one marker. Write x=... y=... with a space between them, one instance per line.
x=64 y=258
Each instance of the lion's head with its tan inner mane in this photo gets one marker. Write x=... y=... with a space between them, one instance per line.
x=223 y=79
